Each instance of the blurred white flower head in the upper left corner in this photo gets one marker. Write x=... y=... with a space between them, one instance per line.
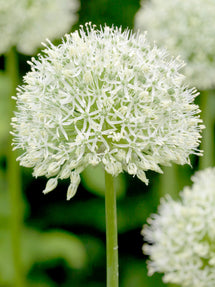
x=26 y=23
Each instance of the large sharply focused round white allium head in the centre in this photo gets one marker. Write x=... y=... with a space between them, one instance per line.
x=104 y=96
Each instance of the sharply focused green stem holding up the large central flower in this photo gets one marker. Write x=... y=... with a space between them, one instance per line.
x=111 y=233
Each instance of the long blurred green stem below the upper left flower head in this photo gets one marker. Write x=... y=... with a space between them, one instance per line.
x=14 y=180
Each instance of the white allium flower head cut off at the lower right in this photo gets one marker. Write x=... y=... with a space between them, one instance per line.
x=181 y=236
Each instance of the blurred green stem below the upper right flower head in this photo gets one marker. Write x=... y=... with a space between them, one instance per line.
x=207 y=142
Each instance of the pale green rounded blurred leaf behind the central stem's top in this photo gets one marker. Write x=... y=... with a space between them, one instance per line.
x=94 y=181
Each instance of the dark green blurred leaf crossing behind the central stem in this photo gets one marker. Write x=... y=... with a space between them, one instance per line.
x=131 y=211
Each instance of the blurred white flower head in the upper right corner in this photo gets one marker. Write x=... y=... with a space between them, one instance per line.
x=185 y=28
